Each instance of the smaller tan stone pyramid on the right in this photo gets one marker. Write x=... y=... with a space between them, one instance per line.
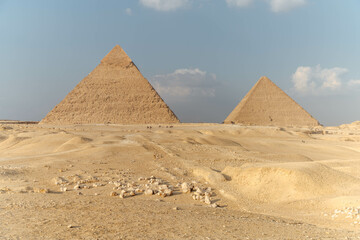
x=266 y=104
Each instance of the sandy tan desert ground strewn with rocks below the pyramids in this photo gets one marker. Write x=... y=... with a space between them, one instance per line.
x=268 y=182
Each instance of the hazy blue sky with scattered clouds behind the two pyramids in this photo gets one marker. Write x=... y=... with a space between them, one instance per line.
x=202 y=56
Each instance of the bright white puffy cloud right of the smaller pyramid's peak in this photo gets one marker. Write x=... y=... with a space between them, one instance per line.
x=316 y=80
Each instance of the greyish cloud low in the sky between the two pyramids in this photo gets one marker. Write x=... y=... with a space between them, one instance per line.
x=186 y=82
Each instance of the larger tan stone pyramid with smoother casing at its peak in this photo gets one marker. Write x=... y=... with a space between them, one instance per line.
x=114 y=92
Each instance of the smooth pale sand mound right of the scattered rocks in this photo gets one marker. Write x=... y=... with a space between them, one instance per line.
x=287 y=182
